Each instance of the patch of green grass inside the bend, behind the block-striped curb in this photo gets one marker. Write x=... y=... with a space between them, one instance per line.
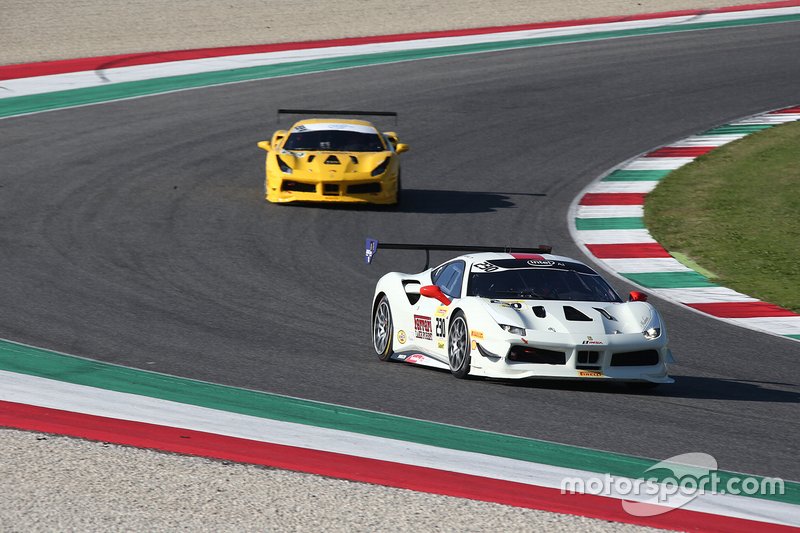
x=736 y=213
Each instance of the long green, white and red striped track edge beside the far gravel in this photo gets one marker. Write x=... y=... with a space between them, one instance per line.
x=30 y=92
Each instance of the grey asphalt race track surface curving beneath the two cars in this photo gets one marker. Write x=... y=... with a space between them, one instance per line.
x=136 y=233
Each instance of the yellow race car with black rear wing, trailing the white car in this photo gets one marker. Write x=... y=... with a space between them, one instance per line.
x=333 y=160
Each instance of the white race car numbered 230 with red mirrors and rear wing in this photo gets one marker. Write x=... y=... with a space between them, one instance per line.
x=516 y=313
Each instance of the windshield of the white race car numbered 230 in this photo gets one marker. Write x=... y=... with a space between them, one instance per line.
x=541 y=284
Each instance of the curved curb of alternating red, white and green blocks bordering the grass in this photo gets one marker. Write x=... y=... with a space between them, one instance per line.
x=615 y=235
